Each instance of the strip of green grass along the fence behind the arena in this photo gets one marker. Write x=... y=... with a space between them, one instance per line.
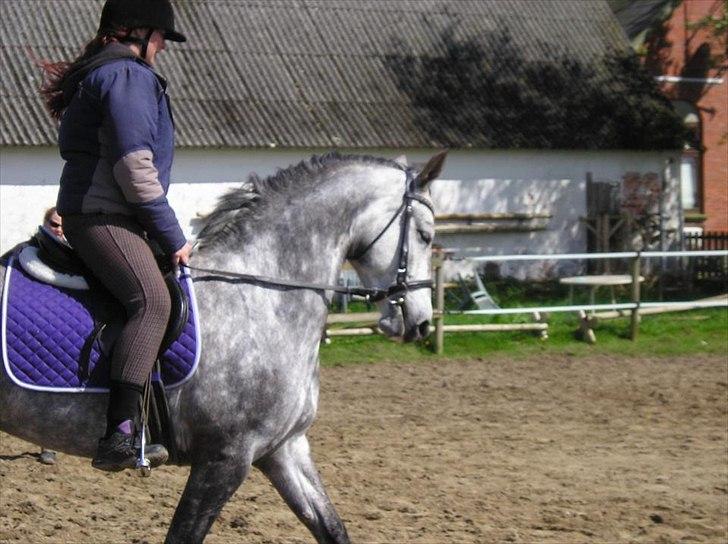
x=693 y=332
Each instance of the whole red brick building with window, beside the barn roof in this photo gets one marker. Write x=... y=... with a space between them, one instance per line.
x=690 y=62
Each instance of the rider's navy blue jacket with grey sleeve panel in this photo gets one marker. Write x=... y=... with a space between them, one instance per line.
x=117 y=138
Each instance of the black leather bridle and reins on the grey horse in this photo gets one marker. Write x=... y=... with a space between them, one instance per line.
x=395 y=292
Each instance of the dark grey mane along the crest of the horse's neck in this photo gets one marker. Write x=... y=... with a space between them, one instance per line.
x=238 y=210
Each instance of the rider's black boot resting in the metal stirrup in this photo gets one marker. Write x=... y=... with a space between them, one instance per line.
x=118 y=449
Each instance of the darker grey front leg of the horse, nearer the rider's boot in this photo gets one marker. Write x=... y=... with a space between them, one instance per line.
x=209 y=486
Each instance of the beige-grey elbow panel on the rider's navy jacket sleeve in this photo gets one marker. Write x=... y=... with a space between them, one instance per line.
x=137 y=177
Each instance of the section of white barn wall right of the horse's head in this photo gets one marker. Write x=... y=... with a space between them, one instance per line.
x=550 y=182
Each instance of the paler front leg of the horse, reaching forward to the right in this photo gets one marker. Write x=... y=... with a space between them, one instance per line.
x=293 y=473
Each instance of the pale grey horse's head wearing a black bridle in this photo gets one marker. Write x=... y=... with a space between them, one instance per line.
x=395 y=251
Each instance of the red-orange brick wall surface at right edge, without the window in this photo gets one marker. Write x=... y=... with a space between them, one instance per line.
x=669 y=54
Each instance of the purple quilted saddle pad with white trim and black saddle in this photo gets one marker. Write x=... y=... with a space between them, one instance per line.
x=58 y=337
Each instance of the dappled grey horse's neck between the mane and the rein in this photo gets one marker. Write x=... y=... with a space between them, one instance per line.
x=307 y=238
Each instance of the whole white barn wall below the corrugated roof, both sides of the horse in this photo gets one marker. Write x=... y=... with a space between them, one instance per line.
x=474 y=181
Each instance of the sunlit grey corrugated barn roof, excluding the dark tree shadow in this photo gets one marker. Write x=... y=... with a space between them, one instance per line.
x=293 y=73
